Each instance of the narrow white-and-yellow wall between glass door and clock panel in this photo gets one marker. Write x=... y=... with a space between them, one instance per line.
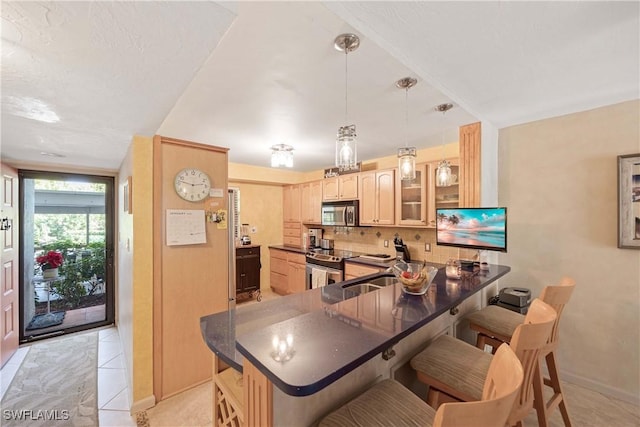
x=135 y=273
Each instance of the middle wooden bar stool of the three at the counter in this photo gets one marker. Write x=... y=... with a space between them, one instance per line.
x=452 y=368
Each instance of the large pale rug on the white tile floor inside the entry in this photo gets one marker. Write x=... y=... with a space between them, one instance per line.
x=56 y=384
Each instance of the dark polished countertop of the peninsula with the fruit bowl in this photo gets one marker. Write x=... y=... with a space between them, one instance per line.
x=305 y=341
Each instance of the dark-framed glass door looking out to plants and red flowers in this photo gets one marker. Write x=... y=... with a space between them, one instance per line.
x=66 y=267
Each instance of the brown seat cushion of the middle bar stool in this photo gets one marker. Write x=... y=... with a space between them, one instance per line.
x=451 y=361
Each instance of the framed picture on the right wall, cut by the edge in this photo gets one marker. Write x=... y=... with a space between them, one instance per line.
x=629 y=201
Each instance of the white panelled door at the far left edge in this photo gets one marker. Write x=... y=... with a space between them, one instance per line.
x=9 y=259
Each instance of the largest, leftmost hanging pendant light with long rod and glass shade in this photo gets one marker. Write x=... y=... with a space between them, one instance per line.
x=346 y=147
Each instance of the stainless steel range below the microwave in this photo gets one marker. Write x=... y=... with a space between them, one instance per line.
x=325 y=267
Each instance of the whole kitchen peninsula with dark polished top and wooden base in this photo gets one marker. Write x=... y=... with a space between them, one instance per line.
x=304 y=354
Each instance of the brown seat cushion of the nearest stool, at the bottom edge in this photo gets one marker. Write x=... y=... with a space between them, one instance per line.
x=387 y=403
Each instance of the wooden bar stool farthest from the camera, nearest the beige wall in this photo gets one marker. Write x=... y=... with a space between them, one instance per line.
x=495 y=325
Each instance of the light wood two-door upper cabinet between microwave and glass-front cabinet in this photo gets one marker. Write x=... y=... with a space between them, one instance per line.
x=377 y=197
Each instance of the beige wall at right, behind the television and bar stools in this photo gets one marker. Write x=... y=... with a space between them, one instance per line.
x=558 y=179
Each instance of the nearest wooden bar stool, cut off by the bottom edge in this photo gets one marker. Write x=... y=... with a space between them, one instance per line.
x=388 y=403
